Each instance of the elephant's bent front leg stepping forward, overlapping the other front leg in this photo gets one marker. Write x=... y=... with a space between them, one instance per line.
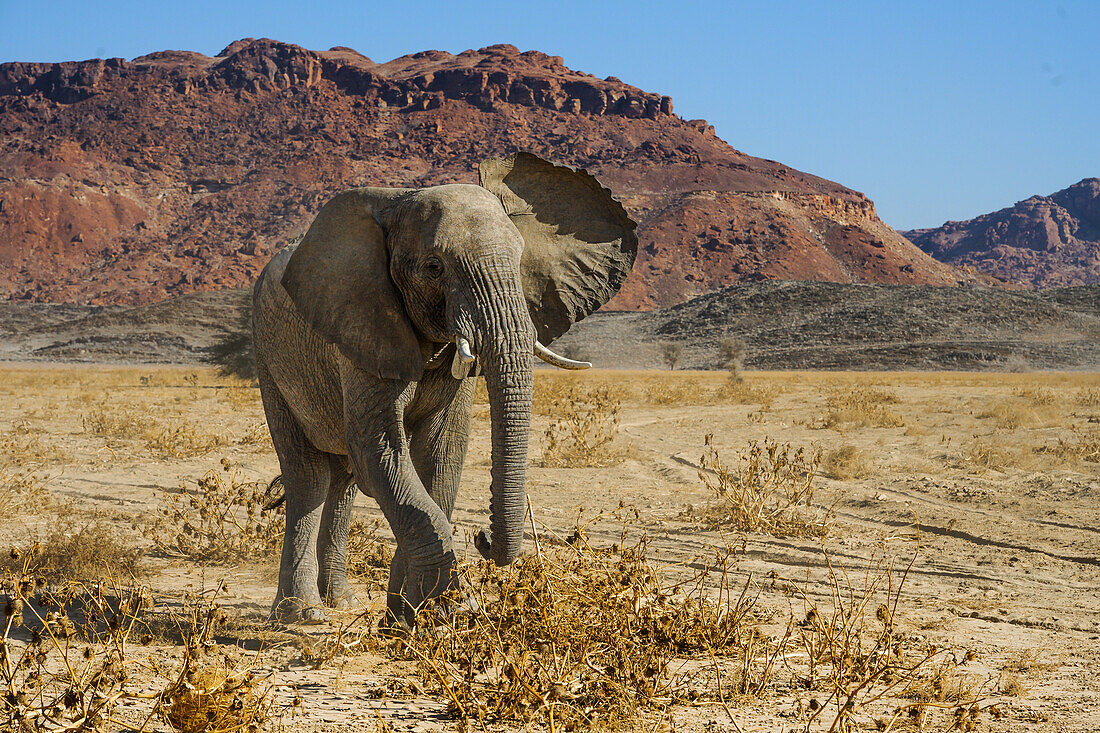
x=379 y=450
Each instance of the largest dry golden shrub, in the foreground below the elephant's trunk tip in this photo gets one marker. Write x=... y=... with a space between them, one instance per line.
x=575 y=637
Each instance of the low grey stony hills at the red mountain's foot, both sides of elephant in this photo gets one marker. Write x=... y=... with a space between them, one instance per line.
x=785 y=325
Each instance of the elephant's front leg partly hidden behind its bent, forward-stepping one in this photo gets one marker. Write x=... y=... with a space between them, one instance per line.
x=438 y=422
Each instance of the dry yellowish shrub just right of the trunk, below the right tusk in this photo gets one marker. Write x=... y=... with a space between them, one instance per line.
x=582 y=434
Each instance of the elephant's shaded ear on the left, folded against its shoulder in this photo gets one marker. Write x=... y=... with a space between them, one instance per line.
x=339 y=281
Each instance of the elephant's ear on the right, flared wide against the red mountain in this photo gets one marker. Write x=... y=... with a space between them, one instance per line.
x=579 y=242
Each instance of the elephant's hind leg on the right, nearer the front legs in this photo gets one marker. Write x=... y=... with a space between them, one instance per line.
x=333 y=540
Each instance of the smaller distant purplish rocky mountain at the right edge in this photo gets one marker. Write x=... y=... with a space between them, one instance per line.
x=1042 y=242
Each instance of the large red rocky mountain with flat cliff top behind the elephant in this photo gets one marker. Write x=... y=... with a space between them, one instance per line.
x=127 y=182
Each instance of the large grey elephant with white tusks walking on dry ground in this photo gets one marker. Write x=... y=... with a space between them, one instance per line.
x=370 y=335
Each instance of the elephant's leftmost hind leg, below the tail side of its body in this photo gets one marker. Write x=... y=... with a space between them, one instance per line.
x=306 y=480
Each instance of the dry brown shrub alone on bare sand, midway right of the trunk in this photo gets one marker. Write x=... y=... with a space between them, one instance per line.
x=772 y=490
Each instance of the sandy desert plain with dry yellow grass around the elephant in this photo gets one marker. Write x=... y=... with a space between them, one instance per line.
x=961 y=509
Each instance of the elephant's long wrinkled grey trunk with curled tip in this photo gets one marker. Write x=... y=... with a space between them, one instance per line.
x=507 y=353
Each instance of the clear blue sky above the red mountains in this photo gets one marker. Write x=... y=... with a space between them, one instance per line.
x=937 y=111
